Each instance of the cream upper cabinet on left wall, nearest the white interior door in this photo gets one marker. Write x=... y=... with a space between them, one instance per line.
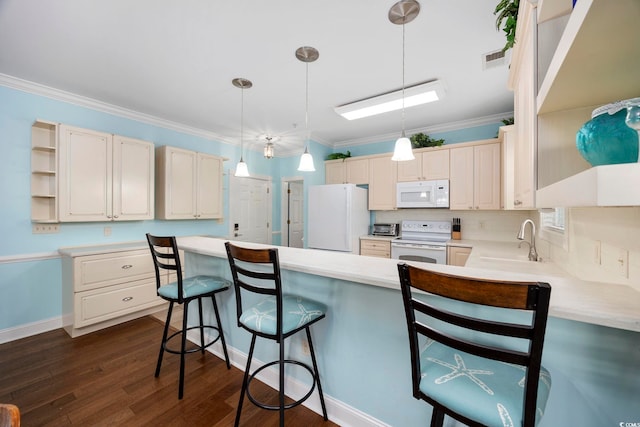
x=189 y=184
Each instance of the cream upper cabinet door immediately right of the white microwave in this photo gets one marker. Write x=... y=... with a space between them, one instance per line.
x=461 y=186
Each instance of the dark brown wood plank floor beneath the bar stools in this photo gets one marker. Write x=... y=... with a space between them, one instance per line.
x=106 y=378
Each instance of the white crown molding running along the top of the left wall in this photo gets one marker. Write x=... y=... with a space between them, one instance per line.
x=93 y=104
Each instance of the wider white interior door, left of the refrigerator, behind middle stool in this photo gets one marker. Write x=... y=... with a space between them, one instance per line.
x=250 y=209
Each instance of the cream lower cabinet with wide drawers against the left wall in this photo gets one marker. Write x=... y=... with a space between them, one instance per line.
x=104 y=286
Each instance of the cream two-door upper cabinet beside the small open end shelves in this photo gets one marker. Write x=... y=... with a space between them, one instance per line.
x=104 y=178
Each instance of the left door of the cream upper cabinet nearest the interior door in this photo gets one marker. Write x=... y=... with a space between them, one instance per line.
x=176 y=183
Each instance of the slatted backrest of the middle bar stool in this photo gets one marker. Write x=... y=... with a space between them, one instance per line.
x=256 y=271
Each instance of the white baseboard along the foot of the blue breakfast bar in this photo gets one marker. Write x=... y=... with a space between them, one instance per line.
x=337 y=411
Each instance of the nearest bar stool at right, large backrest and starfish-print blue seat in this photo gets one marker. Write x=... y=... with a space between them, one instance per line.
x=480 y=371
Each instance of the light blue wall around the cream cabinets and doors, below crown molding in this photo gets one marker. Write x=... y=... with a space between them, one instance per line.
x=31 y=290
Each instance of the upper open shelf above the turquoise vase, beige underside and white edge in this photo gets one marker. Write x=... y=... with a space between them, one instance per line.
x=597 y=60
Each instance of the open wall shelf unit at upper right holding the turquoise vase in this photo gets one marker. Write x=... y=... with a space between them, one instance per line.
x=596 y=61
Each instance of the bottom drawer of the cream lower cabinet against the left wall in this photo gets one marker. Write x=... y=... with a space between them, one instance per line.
x=107 y=303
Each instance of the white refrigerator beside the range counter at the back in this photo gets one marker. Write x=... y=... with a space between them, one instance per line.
x=337 y=217
